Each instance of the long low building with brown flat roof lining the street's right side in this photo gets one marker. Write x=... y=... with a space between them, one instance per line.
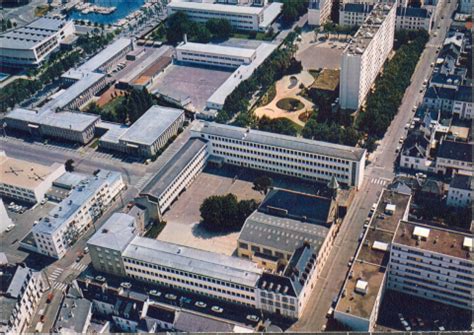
x=358 y=304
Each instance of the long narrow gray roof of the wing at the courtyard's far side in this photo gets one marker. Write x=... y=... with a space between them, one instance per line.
x=281 y=141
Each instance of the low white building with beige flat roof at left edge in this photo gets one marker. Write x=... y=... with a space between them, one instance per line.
x=26 y=181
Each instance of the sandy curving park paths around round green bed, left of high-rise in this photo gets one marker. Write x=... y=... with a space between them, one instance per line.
x=285 y=101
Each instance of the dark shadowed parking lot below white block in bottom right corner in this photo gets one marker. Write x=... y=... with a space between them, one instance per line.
x=398 y=307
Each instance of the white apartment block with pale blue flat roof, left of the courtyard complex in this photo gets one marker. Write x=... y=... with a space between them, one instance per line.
x=72 y=217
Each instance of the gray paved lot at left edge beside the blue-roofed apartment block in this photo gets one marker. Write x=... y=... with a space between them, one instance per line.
x=9 y=241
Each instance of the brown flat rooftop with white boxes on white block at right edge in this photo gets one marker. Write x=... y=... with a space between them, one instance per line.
x=439 y=240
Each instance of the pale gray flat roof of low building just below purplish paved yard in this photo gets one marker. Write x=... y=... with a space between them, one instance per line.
x=151 y=125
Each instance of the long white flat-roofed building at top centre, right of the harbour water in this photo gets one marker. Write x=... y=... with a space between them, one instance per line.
x=255 y=18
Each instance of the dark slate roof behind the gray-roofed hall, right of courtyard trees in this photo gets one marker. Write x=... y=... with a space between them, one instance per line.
x=297 y=206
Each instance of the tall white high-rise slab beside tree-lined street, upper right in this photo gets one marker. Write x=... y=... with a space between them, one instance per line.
x=365 y=55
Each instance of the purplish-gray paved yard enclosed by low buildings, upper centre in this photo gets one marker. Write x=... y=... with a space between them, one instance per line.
x=196 y=83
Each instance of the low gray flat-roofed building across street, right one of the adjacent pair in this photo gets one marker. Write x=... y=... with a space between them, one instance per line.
x=147 y=135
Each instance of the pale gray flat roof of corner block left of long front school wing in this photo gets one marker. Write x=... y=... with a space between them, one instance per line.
x=116 y=232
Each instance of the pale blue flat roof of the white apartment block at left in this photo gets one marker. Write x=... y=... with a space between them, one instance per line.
x=63 y=213
